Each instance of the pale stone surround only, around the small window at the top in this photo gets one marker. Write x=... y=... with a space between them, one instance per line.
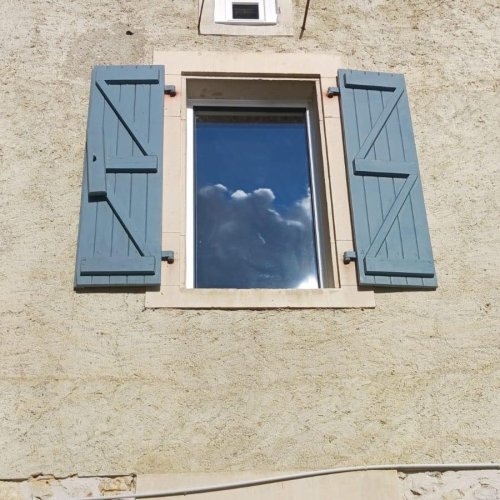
x=284 y=26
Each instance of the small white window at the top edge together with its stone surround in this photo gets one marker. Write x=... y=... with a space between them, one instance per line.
x=246 y=17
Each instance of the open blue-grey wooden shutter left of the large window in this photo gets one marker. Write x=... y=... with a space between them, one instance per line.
x=119 y=240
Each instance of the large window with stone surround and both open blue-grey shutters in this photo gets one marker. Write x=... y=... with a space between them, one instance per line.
x=353 y=169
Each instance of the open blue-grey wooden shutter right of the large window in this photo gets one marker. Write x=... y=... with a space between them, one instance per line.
x=391 y=234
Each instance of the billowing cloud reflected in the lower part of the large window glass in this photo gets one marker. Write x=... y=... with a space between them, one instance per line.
x=246 y=240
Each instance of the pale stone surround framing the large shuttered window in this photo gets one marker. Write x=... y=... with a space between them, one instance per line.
x=204 y=72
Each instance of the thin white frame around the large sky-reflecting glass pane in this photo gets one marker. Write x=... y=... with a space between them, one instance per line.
x=317 y=202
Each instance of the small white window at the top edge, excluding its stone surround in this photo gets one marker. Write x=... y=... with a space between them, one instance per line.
x=245 y=12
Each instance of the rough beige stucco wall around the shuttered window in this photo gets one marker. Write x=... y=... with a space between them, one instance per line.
x=94 y=383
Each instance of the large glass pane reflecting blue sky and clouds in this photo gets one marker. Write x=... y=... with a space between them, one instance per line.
x=253 y=211
